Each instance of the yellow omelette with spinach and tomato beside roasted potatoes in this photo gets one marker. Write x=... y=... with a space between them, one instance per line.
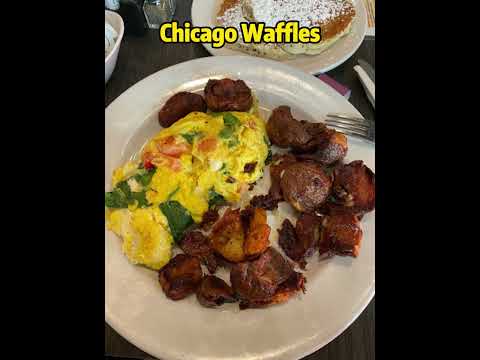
x=203 y=160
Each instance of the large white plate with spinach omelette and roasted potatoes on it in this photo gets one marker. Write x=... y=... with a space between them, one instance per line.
x=238 y=225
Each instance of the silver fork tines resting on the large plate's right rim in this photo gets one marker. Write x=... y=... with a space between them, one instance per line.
x=352 y=125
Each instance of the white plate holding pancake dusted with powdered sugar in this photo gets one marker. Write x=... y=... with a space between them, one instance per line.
x=343 y=24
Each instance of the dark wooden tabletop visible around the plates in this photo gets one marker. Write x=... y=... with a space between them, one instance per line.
x=140 y=57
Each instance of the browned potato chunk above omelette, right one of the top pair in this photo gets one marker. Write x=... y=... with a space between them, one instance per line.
x=228 y=95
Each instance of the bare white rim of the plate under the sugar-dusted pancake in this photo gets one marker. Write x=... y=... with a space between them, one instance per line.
x=204 y=14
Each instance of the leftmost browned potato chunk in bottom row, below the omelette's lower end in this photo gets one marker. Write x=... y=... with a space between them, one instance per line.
x=181 y=276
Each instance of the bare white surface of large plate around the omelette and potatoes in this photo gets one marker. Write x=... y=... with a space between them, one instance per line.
x=337 y=290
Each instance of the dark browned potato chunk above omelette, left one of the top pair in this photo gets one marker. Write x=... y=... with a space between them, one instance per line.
x=180 y=105
